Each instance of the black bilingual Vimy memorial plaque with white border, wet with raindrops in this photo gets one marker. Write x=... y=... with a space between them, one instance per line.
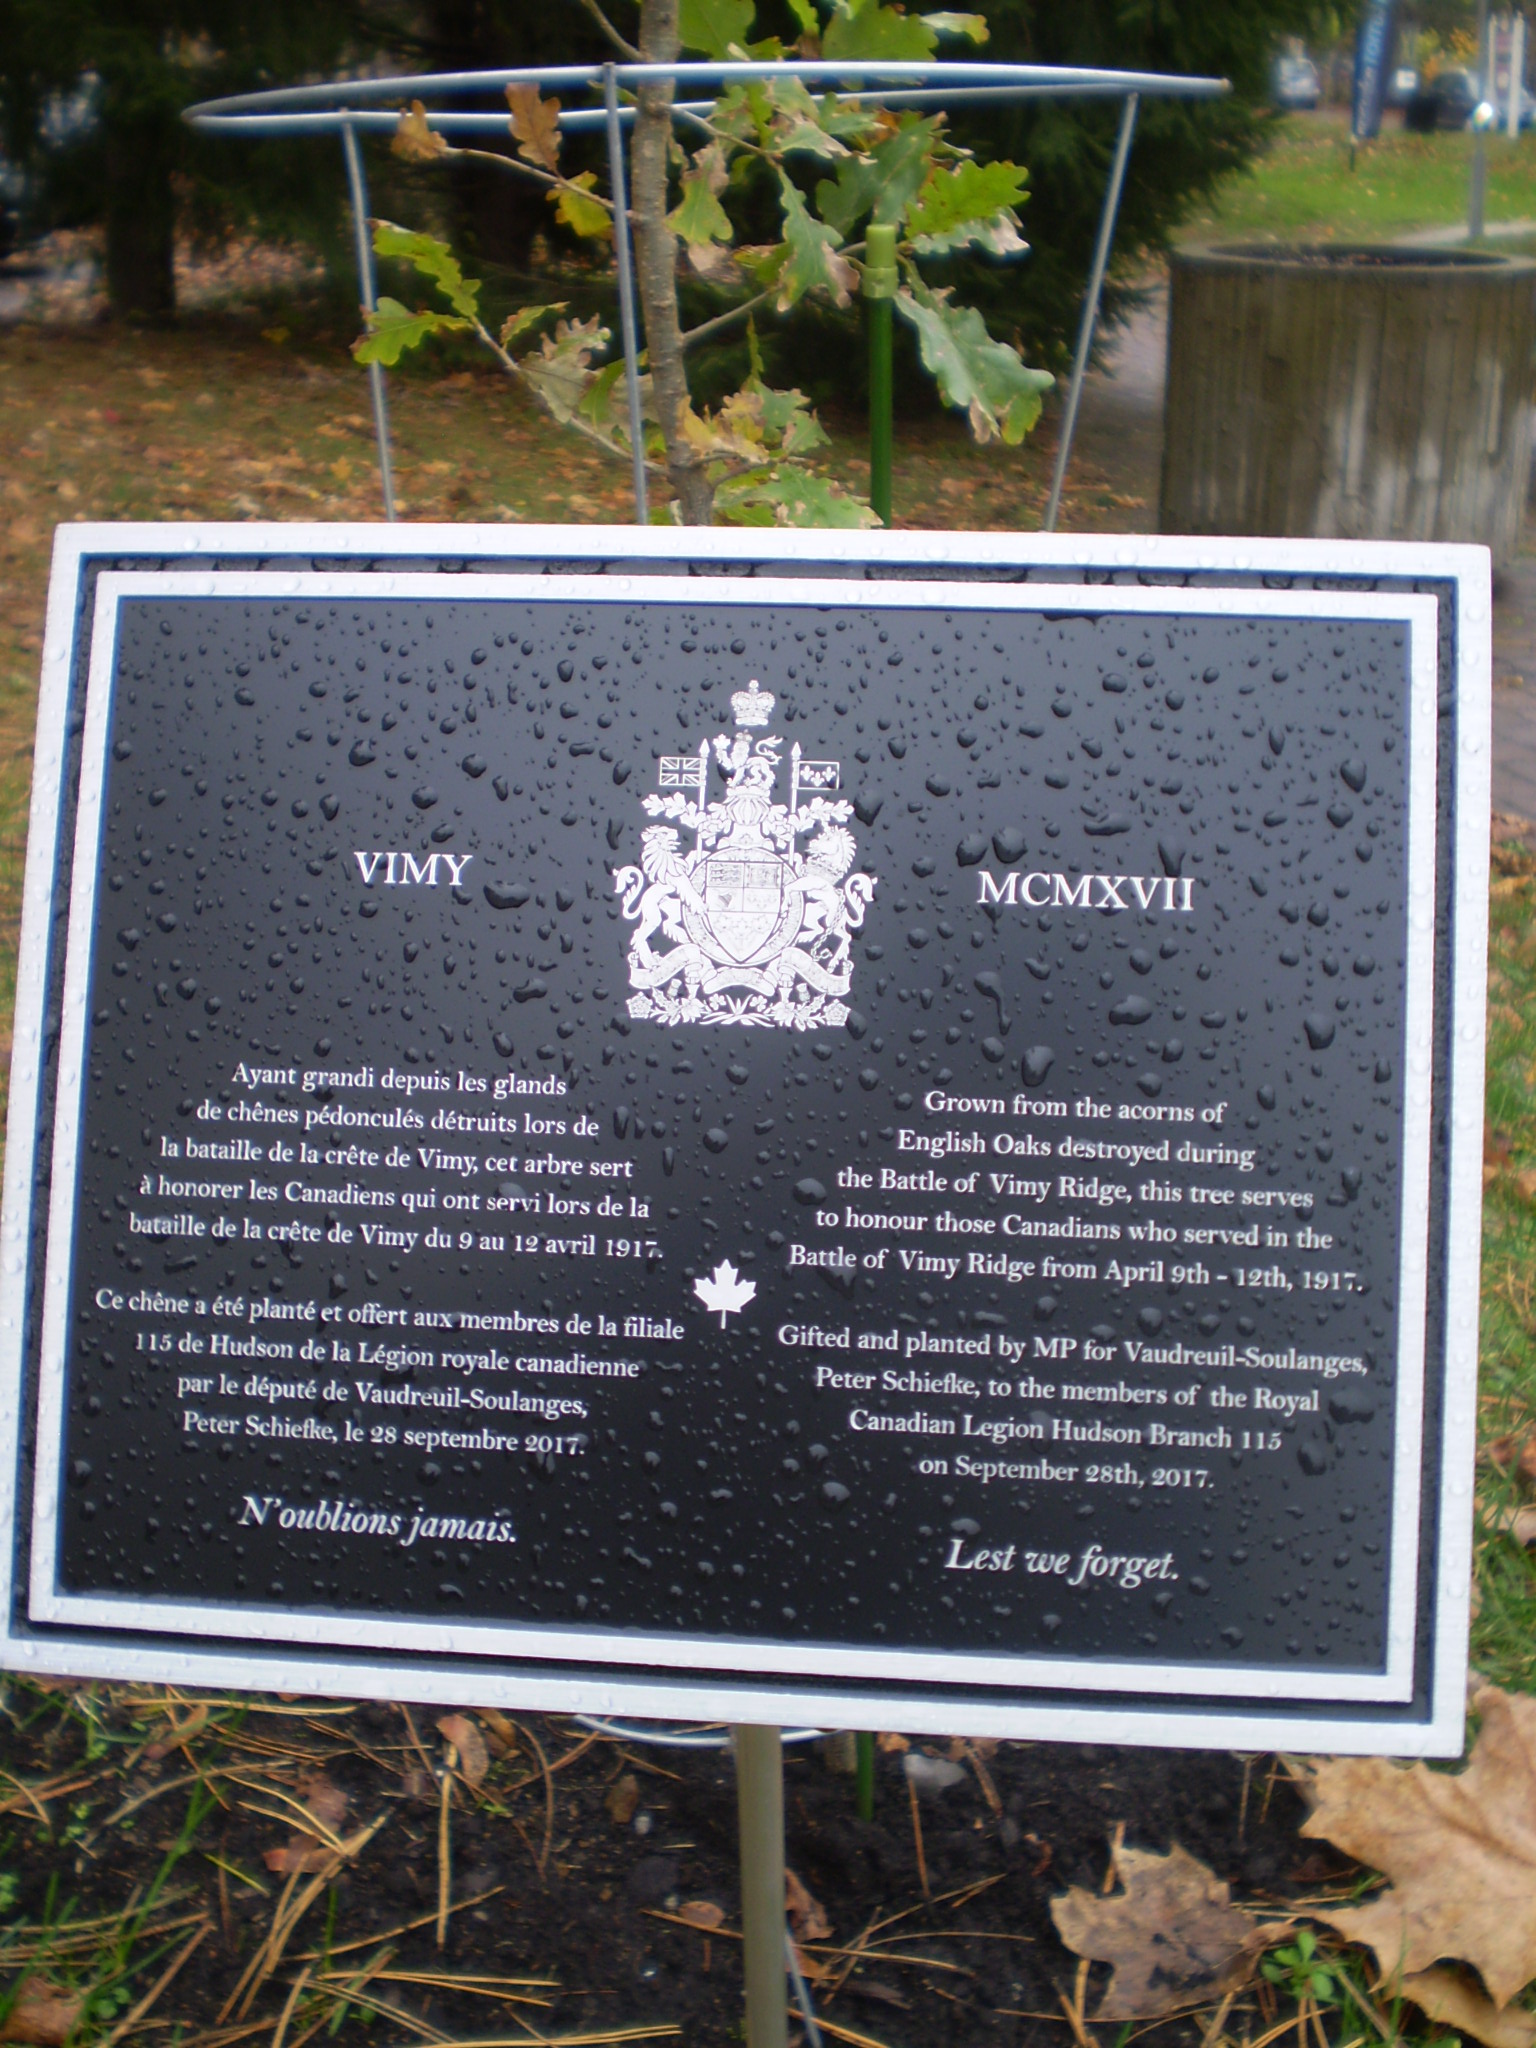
x=753 y=1144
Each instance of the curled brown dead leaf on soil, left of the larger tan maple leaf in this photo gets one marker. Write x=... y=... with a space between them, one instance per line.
x=1172 y=1934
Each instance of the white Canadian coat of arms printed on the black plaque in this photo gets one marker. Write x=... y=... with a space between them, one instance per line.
x=757 y=929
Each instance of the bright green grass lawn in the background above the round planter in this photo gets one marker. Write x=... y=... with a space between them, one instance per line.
x=1306 y=189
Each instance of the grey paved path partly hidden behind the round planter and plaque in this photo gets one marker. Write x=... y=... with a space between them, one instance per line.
x=1121 y=435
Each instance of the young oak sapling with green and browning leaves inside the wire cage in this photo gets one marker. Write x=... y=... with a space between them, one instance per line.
x=830 y=167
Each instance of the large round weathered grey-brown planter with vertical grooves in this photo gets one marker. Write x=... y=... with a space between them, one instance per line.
x=1367 y=394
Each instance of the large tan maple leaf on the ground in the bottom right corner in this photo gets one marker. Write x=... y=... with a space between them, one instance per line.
x=1459 y=1852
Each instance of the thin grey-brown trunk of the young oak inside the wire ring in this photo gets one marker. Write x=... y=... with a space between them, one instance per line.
x=656 y=263
